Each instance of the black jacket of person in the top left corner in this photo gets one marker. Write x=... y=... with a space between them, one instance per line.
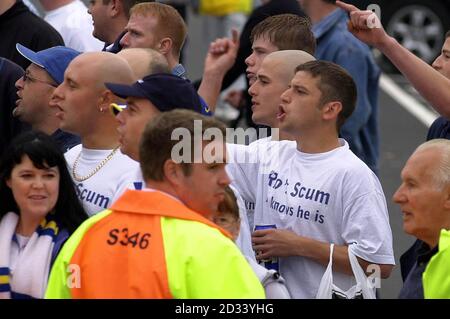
x=20 y=25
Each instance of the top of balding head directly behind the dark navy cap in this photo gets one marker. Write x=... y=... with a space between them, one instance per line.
x=145 y=61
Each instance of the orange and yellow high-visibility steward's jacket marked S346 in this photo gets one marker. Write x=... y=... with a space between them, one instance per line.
x=150 y=245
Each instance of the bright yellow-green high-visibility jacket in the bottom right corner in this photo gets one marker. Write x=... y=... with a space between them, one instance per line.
x=436 y=278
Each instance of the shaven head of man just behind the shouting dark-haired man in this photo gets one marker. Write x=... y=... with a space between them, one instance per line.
x=272 y=79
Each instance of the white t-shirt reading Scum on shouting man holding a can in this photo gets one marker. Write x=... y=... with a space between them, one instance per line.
x=331 y=197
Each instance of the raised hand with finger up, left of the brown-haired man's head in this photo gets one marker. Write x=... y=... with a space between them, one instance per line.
x=222 y=54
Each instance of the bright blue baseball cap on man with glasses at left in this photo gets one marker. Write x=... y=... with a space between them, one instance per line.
x=53 y=60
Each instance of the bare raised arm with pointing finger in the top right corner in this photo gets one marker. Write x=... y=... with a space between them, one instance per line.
x=432 y=85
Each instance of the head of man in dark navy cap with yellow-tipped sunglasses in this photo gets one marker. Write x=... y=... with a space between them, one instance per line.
x=145 y=99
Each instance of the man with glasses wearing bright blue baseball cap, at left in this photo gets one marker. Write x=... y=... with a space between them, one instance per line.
x=36 y=87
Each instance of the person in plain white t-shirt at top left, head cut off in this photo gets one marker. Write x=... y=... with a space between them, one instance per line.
x=71 y=19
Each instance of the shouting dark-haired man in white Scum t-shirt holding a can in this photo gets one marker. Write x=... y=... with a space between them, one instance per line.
x=316 y=191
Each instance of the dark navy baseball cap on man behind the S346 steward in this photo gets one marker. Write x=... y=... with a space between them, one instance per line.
x=166 y=91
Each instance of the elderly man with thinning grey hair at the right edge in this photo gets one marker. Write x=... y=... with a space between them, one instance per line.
x=424 y=199
